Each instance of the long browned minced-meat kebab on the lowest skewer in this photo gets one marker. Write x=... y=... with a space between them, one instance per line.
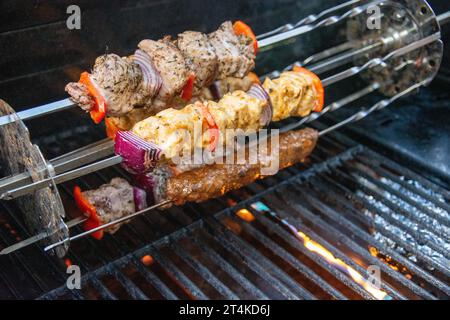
x=217 y=179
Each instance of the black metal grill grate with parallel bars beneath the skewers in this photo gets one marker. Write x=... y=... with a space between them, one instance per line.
x=360 y=206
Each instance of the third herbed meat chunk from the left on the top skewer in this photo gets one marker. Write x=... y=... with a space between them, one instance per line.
x=200 y=56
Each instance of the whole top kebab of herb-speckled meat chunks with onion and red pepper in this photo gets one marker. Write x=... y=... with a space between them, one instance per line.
x=161 y=71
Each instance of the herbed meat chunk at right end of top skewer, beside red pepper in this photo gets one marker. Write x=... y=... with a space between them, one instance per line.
x=235 y=53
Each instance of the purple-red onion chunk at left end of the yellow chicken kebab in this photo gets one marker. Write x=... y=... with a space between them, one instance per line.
x=138 y=155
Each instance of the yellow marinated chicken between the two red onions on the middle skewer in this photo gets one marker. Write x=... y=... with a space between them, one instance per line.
x=169 y=128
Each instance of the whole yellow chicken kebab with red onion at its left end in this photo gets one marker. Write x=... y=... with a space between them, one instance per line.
x=173 y=133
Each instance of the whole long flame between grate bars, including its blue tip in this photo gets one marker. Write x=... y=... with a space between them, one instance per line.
x=323 y=252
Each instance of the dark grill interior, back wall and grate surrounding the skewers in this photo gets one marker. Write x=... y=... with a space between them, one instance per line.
x=377 y=197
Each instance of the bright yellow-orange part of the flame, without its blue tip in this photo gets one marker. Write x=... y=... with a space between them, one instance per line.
x=320 y=250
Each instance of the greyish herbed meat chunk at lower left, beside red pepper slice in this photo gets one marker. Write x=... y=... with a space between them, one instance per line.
x=112 y=201
